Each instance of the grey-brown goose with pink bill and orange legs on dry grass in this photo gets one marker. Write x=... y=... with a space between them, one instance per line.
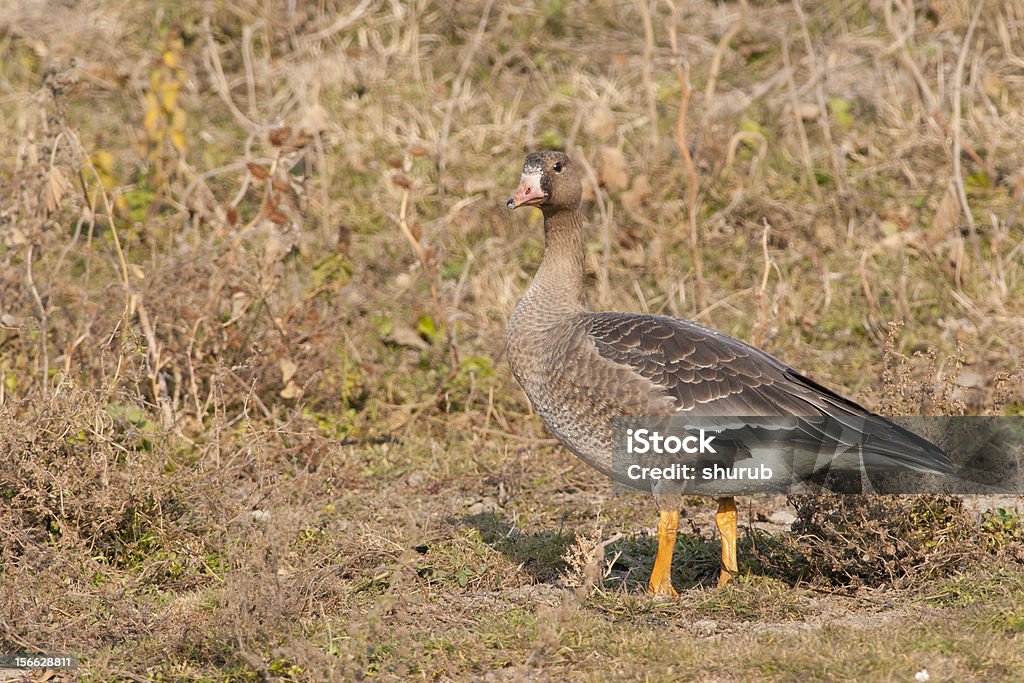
x=582 y=370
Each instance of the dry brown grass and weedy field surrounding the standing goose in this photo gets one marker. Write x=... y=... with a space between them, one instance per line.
x=255 y=419
